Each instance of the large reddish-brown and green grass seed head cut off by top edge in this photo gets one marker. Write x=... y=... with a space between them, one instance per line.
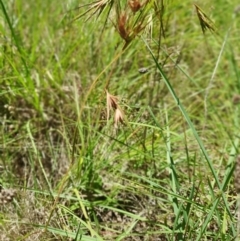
x=129 y=20
